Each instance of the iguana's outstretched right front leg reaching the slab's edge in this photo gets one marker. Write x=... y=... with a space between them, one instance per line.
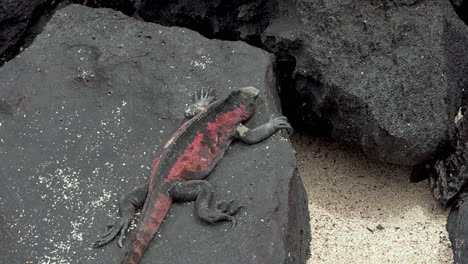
x=252 y=136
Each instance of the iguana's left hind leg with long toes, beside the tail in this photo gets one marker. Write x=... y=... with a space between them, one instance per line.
x=128 y=204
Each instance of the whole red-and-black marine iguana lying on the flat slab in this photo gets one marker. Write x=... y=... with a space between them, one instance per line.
x=186 y=159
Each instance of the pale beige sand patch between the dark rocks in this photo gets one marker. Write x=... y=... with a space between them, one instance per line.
x=366 y=211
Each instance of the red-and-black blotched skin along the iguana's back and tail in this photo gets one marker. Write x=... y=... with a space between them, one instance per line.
x=199 y=157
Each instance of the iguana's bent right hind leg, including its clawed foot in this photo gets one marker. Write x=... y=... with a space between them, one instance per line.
x=202 y=193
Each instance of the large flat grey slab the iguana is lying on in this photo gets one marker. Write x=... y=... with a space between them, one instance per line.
x=83 y=112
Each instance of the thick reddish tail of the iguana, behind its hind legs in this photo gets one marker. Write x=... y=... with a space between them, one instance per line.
x=153 y=215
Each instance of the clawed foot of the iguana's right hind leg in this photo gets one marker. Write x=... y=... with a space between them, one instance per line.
x=223 y=211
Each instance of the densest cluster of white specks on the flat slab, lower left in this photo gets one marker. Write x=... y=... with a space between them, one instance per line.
x=64 y=189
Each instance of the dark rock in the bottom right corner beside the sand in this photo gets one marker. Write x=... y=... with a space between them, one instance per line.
x=458 y=232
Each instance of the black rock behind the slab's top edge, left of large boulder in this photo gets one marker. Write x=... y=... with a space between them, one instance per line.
x=234 y=19
